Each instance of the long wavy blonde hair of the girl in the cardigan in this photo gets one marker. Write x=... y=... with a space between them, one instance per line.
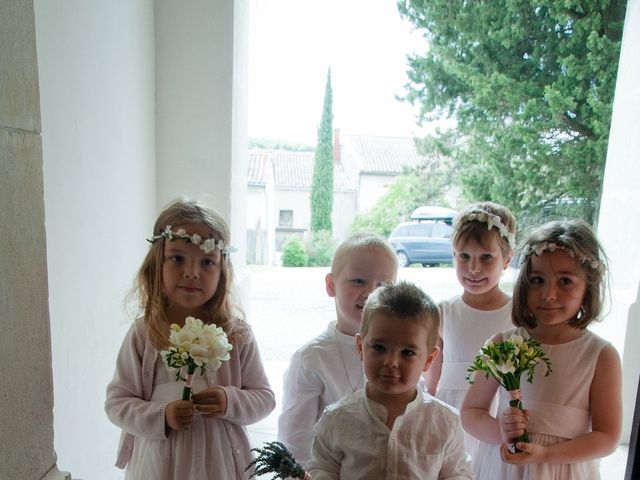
x=220 y=309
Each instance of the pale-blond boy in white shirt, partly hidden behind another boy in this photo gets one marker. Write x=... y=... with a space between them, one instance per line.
x=328 y=368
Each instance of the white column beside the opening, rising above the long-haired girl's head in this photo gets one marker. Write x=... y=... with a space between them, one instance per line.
x=201 y=109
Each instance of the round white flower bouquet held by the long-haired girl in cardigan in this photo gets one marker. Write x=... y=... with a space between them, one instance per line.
x=195 y=345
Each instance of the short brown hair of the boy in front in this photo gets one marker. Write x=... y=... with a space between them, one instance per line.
x=403 y=300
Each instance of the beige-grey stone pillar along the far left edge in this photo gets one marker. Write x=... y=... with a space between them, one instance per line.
x=26 y=415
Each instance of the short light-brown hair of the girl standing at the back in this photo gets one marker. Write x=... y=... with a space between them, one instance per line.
x=468 y=227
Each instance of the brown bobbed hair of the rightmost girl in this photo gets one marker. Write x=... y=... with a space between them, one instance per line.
x=577 y=239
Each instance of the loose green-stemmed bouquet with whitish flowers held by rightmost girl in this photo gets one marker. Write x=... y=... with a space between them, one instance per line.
x=506 y=361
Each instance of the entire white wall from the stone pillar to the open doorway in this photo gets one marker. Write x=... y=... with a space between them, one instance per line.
x=141 y=101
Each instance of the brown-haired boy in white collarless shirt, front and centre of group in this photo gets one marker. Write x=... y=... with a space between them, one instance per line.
x=392 y=429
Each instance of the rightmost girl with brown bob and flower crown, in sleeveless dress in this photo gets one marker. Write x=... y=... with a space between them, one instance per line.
x=573 y=416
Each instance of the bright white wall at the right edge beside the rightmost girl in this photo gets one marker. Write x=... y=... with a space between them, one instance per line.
x=618 y=225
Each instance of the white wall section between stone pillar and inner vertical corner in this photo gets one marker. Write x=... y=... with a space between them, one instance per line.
x=96 y=62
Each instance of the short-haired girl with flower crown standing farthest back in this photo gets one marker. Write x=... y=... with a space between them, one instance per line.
x=483 y=243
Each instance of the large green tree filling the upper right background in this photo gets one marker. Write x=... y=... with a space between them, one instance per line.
x=530 y=85
